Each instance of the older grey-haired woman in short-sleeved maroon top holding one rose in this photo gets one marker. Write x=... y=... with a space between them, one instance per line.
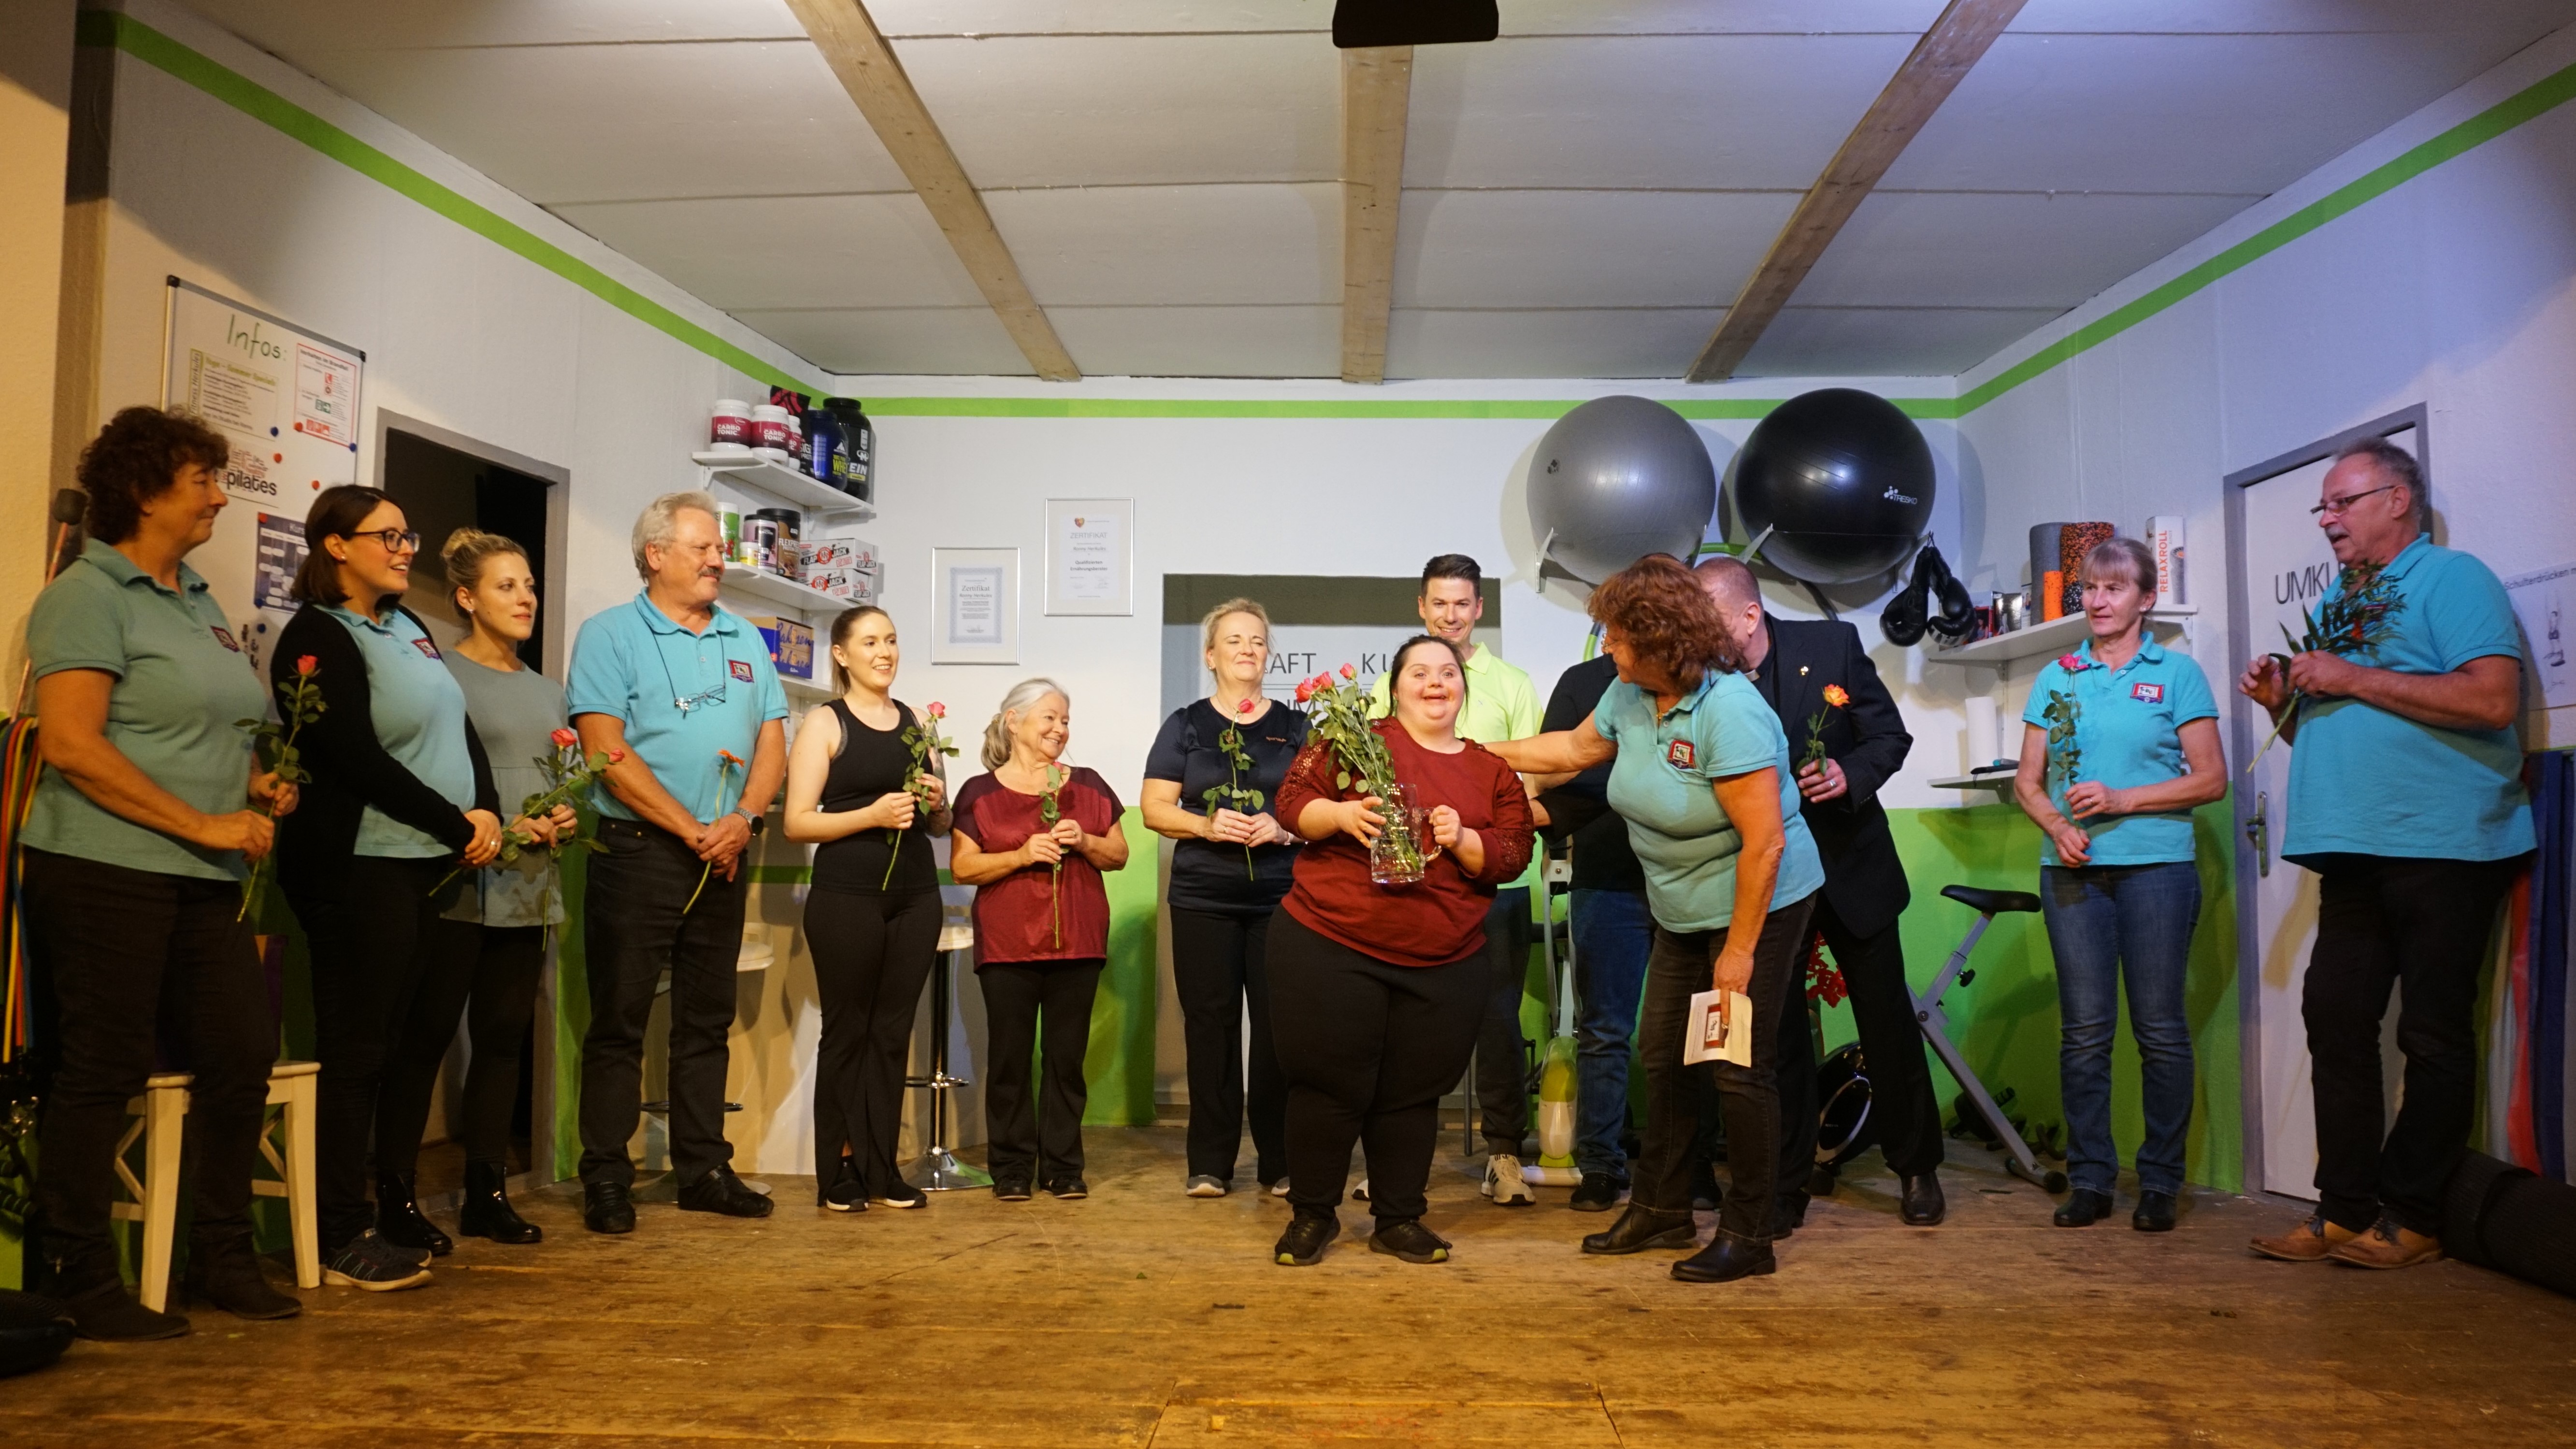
x=1042 y=930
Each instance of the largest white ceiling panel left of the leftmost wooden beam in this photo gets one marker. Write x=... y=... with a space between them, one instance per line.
x=630 y=122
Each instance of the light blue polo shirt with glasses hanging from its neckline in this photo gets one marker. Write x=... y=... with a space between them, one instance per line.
x=684 y=696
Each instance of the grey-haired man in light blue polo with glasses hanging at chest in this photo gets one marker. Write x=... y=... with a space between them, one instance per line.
x=684 y=699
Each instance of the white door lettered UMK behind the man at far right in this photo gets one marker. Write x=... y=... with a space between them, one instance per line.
x=2281 y=568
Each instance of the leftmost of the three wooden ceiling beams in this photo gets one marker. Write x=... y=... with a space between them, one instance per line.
x=885 y=97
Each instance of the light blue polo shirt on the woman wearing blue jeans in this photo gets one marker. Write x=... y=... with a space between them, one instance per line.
x=2129 y=732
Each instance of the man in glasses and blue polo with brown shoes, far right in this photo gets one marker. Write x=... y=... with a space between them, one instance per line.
x=2407 y=802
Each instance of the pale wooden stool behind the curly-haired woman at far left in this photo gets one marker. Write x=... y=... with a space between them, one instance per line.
x=161 y=1121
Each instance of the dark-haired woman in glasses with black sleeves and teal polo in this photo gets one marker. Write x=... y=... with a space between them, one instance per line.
x=401 y=794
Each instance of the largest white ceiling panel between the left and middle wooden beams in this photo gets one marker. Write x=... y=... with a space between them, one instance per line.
x=1135 y=109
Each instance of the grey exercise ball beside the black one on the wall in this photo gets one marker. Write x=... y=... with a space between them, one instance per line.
x=1616 y=480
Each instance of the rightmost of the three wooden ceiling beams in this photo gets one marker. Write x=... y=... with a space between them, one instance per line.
x=1941 y=60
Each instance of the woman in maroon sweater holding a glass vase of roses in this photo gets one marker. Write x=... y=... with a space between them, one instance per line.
x=1377 y=990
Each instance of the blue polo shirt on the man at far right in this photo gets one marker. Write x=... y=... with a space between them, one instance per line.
x=2379 y=784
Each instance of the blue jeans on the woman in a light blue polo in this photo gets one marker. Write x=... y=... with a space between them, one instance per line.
x=2106 y=920
